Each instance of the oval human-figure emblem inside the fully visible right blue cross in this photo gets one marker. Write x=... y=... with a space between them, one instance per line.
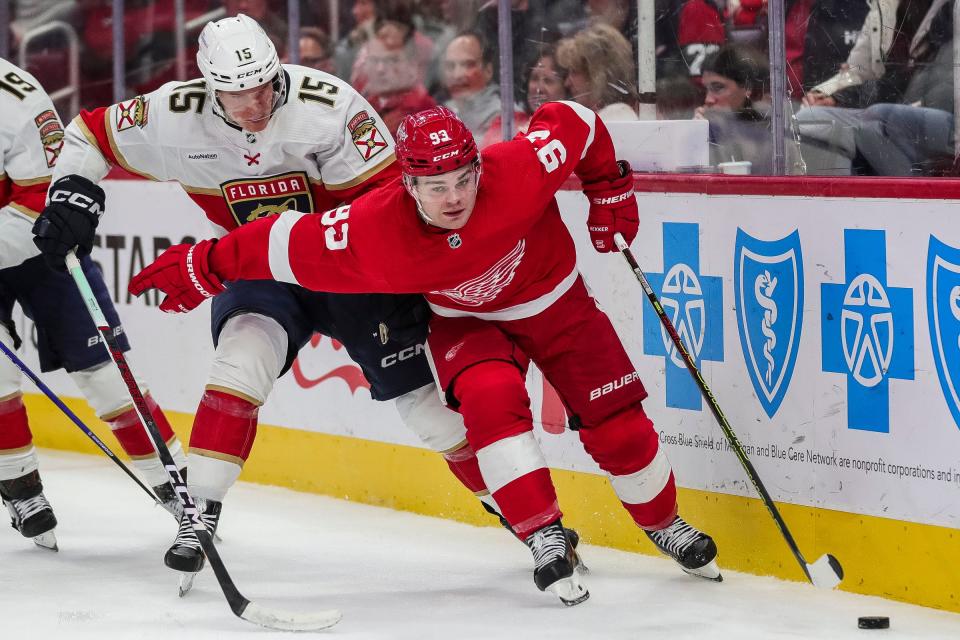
x=867 y=330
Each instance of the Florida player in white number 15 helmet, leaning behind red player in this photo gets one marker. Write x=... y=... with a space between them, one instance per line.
x=256 y=138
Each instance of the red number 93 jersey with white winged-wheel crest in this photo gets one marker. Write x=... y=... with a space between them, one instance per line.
x=512 y=259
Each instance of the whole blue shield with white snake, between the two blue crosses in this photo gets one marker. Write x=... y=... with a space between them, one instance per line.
x=768 y=288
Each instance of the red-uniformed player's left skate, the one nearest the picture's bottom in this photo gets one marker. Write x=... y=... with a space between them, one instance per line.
x=556 y=564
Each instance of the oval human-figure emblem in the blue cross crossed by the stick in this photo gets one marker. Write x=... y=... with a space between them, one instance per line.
x=682 y=299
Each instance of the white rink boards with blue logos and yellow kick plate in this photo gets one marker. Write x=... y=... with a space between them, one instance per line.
x=827 y=327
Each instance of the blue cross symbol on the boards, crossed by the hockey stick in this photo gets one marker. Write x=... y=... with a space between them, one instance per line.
x=694 y=304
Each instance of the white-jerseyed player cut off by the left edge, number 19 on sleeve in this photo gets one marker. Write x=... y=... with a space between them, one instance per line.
x=31 y=137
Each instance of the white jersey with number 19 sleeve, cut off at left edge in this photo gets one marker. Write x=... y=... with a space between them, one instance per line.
x=31 y=136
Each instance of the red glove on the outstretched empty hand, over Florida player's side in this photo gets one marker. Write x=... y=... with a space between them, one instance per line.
x=183 y=273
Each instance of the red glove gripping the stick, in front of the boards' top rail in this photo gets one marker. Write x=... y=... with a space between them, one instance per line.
x=613 y=209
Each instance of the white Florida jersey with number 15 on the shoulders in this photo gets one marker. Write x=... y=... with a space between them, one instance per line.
x=323 y=147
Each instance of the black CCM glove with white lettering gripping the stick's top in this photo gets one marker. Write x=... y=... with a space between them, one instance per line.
x=70 y=220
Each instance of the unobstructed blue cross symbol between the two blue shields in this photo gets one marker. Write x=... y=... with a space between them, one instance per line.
x=867 y=330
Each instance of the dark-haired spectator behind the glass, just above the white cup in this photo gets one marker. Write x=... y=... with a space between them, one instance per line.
x=736 y=79
